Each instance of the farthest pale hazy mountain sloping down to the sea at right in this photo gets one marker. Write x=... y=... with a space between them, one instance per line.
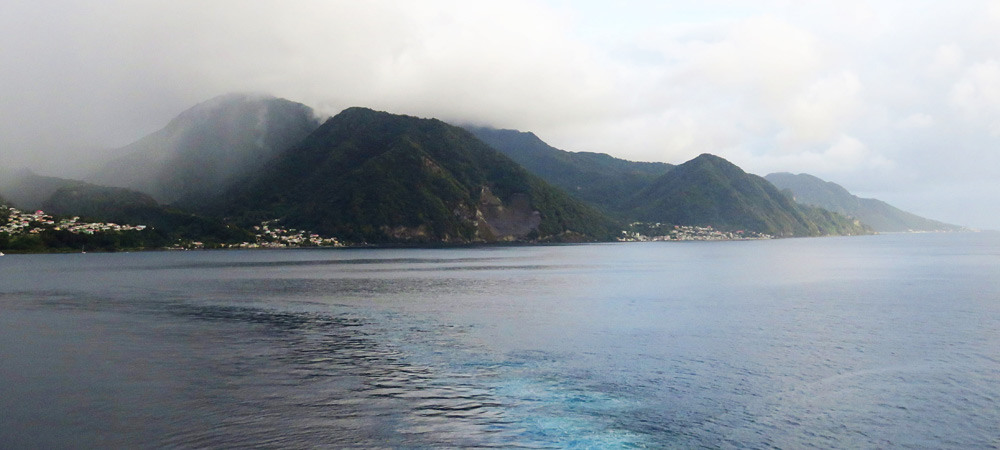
x=881 y=216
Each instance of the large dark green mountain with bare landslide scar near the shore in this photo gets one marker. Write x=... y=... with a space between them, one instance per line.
x=369 y=176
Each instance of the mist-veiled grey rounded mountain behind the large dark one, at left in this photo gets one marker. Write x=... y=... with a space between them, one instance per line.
x=206 y=148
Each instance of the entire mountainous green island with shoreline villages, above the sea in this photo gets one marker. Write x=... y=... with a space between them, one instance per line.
x=250 y=171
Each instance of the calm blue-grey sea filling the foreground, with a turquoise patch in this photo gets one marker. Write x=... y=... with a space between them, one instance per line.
x=871 y=342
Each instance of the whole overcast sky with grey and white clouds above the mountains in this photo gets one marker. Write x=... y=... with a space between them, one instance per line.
x=894 y=100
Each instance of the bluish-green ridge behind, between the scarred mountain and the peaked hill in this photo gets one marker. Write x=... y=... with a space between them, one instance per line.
x=596 y=178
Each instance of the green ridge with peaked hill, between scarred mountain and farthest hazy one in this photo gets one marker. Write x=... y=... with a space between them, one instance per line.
x=707 y=191
